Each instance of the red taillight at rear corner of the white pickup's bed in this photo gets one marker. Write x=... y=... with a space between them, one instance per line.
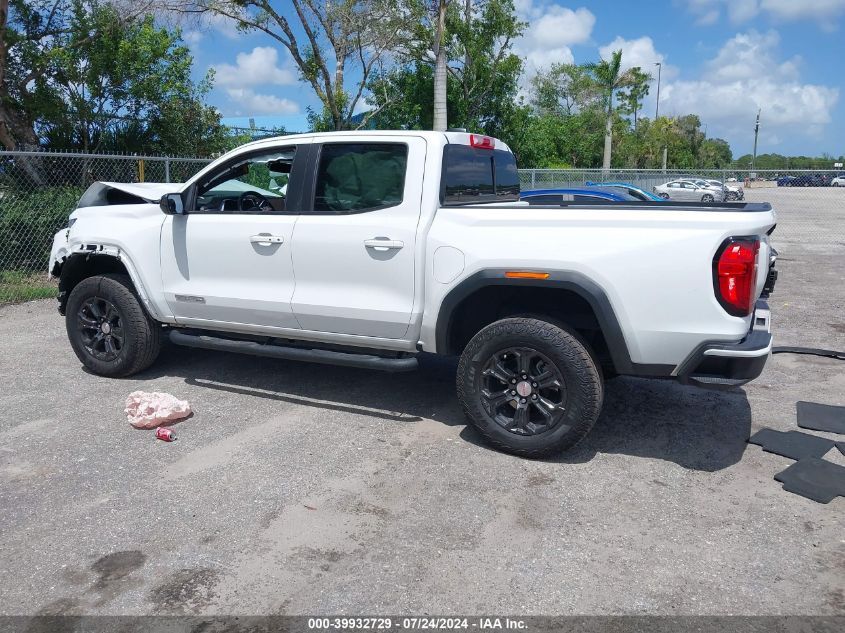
x=735 y=275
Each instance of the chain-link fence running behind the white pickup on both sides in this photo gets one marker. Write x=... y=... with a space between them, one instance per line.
x=39 y=189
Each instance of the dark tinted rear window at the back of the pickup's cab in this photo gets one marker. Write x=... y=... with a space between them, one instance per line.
x=475 y=176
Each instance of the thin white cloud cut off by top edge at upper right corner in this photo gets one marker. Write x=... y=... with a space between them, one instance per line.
x=825 y=12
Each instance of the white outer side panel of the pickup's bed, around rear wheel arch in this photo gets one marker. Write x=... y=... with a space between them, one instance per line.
x=655 y=266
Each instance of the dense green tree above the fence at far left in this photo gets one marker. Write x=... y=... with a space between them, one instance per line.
x=85 y=75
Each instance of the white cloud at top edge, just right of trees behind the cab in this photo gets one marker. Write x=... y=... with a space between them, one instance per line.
x=552 y=31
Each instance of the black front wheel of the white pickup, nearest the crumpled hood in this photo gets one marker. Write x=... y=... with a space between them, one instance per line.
x=109 y=330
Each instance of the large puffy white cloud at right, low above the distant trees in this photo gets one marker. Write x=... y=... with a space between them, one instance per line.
x=747 y=75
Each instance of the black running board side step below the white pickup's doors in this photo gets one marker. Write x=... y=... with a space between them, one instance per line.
x=327 y=357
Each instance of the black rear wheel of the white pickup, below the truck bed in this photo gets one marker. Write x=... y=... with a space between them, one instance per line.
x=555 y=352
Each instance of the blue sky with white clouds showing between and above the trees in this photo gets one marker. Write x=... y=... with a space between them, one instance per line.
x=721 y=59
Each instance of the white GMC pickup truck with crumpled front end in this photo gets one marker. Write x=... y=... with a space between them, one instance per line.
x=367 y=248
